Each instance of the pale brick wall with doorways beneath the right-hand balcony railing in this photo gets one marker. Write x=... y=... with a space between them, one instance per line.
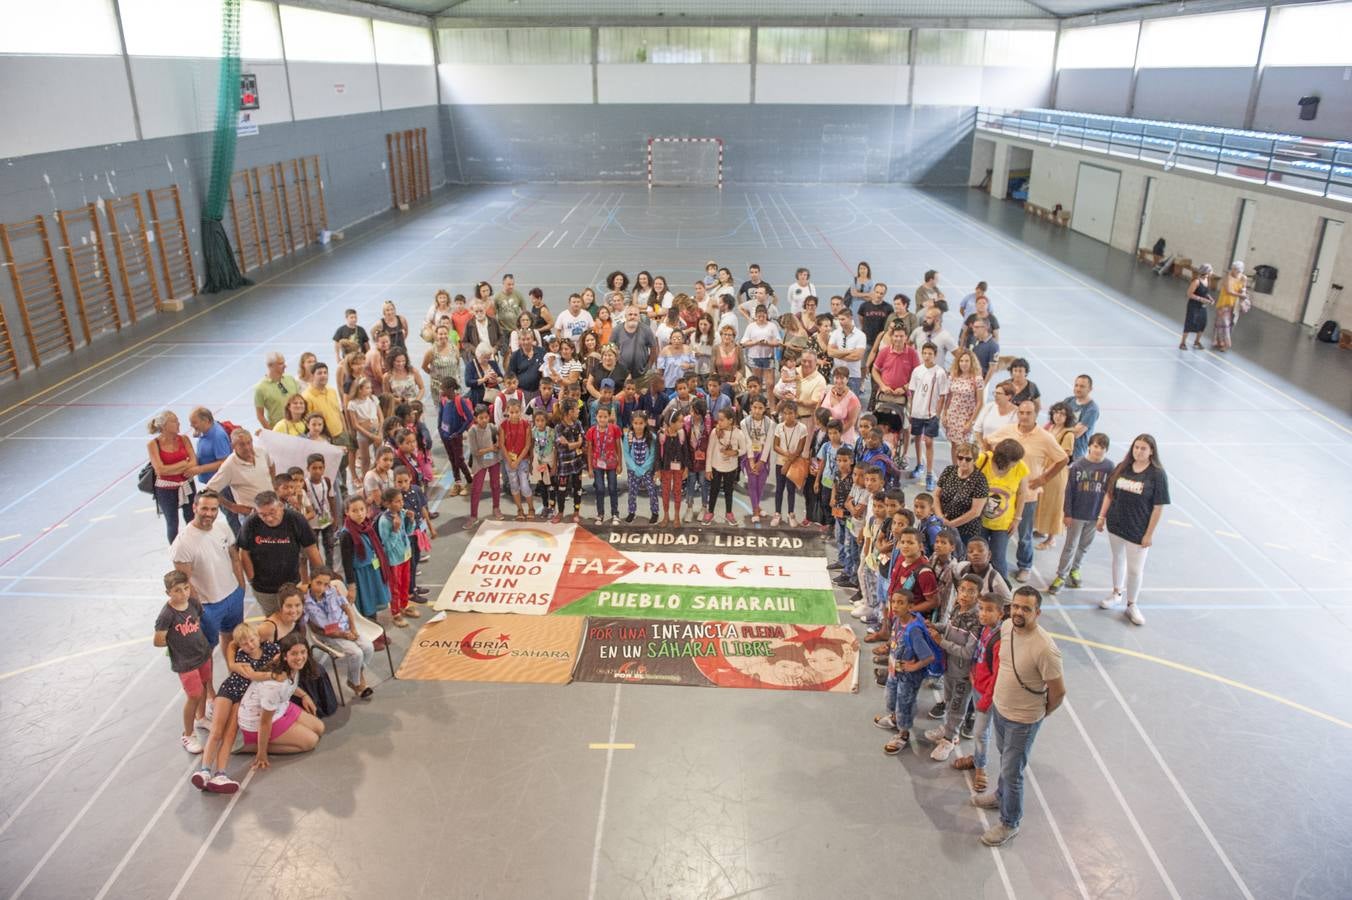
x=1199 y=217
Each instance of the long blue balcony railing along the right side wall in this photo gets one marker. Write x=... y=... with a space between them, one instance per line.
x=1316 y=168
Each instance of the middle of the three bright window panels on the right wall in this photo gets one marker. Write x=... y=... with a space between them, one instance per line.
x=1219 y=40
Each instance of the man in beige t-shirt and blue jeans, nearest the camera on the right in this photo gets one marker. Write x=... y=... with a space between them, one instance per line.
x=1028 y=689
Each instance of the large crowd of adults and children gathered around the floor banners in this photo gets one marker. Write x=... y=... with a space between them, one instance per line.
x=682 y=394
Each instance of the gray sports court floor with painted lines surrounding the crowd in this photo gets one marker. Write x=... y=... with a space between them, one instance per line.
x=1203 y=756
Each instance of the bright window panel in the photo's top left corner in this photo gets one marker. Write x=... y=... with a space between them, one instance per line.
x=75 y=28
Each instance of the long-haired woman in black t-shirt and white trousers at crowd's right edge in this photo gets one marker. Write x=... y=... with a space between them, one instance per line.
x=1138 y=493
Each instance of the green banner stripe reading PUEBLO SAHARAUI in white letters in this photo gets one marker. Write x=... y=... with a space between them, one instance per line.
x=740 y=605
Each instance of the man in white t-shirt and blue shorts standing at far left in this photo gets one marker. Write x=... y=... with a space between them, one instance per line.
x=206 y=552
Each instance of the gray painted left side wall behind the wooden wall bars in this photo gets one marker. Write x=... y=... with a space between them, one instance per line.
x=352 y=152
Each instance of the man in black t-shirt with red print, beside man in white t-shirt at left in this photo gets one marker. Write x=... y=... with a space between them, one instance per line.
x=276 y=545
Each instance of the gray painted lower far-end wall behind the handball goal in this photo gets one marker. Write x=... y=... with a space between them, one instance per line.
x=763 y=143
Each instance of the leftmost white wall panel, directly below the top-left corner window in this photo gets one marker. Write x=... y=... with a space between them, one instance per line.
x=59 y=103
